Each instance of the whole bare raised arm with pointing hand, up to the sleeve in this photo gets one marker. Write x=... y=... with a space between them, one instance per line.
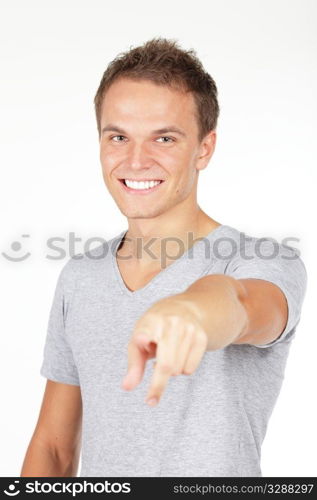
x=215 y=311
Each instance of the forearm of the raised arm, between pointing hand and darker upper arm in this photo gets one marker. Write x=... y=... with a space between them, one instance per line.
x=218 y=302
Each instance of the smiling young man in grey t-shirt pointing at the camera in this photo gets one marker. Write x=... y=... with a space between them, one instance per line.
x=166 y=345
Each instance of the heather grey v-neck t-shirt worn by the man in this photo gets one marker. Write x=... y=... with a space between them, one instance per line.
x=209 y=423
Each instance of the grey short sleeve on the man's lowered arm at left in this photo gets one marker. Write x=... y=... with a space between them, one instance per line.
x=58 y=362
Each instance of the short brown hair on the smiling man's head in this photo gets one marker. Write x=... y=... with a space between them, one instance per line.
x=163 y=62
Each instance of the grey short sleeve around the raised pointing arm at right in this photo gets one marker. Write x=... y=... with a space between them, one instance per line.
x=264 y=258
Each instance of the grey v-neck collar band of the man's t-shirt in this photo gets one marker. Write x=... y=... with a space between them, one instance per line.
x=163 y=272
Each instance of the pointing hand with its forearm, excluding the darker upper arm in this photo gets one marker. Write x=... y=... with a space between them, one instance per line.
x=209 y=315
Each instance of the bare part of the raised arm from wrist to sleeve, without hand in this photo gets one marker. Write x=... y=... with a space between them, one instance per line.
x=238 y=311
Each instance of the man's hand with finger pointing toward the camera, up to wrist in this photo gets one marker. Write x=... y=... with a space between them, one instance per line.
x=170 y=331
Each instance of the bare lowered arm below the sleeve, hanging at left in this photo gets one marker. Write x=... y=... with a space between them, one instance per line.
x=54 y=449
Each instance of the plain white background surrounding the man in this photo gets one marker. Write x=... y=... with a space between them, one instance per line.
x=261 y=179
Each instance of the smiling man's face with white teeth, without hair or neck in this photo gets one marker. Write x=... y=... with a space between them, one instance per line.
x=132 y=148
